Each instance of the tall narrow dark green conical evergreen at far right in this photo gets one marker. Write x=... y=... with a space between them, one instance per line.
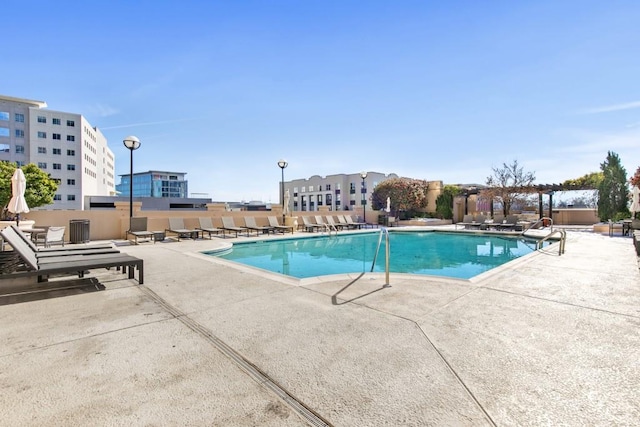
x=613 y=193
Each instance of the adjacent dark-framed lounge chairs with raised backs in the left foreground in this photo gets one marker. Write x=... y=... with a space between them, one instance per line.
x=27 y=260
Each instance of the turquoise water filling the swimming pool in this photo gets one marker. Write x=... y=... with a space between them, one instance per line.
x=429 y=253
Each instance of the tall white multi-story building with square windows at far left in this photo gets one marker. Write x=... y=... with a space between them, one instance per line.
x=64 y=145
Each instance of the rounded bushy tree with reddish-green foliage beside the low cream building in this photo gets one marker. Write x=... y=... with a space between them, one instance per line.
x=406 y=195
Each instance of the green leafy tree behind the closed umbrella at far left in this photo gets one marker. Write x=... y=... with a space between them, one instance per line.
x=40 y=186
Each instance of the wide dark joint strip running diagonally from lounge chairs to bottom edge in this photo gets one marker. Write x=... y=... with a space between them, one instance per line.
x=245 y=365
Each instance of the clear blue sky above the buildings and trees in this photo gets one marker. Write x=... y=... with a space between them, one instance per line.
x=426 y=89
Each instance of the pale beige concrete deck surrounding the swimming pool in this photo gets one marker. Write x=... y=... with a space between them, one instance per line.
x=546 y=340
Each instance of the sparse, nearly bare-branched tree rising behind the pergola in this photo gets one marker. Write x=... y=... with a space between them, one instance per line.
x=509 y=185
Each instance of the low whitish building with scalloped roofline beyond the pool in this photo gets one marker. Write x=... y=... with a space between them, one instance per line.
x=336 y=192
